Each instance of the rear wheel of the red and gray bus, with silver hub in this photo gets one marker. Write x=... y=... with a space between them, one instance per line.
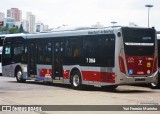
x=76 y=80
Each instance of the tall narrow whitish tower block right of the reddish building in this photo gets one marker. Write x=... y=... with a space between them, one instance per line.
x=30 y=22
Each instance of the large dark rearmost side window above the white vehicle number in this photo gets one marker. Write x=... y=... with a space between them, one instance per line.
x=101 y=48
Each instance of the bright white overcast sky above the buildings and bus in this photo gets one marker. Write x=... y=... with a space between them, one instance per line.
x=84 y=13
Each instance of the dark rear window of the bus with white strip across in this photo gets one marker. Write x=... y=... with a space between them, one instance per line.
x=140 y=42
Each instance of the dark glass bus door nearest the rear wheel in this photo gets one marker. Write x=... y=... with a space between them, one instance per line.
x=57 y=61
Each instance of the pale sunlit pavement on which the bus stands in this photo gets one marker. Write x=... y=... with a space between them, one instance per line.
x=38 y=93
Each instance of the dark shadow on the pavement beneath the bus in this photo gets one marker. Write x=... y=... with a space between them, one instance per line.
x=120 y=89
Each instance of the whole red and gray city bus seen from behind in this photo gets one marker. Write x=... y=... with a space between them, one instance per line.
x=103 y=57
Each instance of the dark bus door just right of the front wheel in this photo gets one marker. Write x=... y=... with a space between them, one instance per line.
x=32 y=60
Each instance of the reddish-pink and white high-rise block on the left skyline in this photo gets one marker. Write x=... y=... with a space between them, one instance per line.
x=14 y=13
